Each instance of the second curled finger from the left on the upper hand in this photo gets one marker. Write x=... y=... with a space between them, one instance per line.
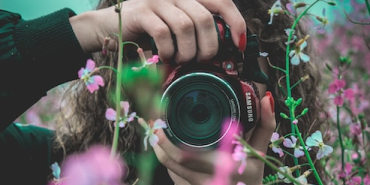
x=182 y=27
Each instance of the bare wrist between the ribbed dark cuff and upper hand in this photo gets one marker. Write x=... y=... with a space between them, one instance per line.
x=86 y=28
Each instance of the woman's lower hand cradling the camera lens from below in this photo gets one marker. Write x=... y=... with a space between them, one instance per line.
x=201 y=168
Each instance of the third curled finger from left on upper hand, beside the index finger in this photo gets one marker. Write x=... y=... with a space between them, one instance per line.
x=205 y=29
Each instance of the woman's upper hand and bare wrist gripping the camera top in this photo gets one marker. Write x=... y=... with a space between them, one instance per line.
x=191 y=22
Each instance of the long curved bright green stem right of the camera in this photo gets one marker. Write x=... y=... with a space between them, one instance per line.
x=289 y=93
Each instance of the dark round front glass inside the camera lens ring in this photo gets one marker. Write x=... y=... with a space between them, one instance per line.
x=199 y=111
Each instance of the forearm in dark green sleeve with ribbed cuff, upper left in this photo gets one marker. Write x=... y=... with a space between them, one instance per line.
x=44 y=53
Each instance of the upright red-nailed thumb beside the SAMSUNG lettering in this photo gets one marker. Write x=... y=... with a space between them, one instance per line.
x=262 y=133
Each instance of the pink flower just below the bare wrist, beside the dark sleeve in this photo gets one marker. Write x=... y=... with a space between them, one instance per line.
x=92 y=82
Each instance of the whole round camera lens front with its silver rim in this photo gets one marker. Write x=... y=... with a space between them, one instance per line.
x=195 y=107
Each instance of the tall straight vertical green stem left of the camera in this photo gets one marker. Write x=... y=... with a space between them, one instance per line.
x=118 y=82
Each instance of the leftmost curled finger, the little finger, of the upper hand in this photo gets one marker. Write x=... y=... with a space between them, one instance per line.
x=160 y=33
